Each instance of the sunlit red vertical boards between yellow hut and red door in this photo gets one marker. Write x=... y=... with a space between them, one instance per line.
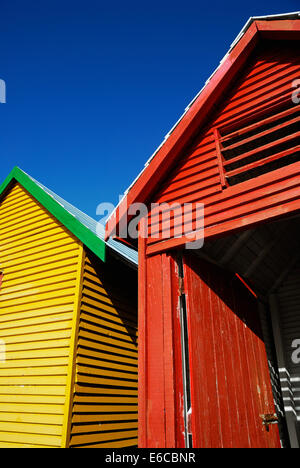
x=160 y=374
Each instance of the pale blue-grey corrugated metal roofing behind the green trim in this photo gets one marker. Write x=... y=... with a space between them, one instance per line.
x=125 y=252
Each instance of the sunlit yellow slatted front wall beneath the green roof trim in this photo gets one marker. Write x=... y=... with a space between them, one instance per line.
x=40 y=261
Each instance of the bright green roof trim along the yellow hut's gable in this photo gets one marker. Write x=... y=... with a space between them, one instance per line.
x=87 y=237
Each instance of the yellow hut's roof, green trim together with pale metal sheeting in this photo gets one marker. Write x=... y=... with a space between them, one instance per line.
x=82 y=226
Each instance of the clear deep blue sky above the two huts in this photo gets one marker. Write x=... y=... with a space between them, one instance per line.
x=93 y=87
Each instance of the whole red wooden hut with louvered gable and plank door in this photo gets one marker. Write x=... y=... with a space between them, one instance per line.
x=219 y=325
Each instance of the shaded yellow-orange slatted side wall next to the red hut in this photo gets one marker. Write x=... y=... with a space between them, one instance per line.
x=105 y=411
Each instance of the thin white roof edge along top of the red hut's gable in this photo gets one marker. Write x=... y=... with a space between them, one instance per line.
x=235 y=42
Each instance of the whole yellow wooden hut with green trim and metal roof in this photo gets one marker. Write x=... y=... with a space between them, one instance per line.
x=68 y=325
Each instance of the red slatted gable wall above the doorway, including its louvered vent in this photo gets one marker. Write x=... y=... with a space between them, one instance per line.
x=262 y=90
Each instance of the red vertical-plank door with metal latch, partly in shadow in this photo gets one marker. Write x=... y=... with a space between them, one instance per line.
x=229 y=376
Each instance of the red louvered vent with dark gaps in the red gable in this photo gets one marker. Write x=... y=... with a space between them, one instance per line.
x=269 y=141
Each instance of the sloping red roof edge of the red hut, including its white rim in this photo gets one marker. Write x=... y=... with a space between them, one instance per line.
x=279 y=26
